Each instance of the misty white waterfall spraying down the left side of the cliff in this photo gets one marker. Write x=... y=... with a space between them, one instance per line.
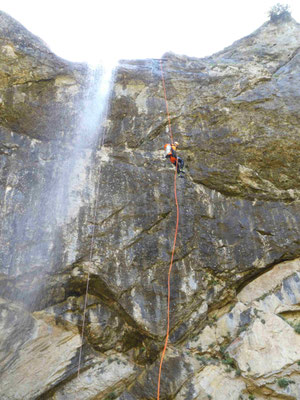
x=40 y=232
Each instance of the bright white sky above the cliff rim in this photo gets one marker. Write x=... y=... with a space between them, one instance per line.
x=96 y=31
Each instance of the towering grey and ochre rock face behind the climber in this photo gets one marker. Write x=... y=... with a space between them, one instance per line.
x=235 y=285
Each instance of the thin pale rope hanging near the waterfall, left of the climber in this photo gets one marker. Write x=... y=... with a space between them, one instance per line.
x=90 y=257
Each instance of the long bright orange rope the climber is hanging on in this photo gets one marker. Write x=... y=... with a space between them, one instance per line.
x=174 y=242
